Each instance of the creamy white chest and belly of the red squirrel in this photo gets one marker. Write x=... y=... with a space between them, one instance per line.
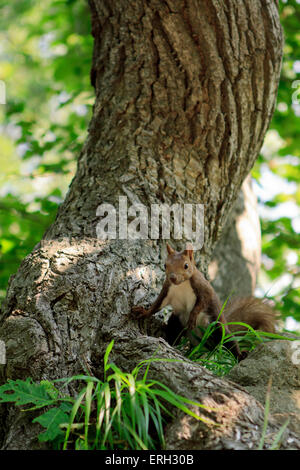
x=182 y=299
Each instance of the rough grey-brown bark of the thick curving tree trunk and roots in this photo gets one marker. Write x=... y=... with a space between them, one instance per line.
x=185 y=90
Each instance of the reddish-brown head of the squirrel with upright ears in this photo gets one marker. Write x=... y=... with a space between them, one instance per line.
x=179 y=265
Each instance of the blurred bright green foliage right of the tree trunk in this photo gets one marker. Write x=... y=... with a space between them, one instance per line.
x=277 y=169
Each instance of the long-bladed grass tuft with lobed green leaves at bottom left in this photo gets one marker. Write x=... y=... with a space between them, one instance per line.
x=124 y=411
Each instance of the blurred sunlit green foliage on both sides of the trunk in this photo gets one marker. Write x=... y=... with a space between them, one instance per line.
x=45 y=60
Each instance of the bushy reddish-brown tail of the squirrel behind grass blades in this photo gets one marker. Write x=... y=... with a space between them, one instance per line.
x=255 y=312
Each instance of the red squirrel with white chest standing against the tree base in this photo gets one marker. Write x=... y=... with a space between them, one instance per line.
x=195 y=302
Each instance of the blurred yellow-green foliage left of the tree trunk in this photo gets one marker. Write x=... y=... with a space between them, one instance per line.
x=45 y=119
